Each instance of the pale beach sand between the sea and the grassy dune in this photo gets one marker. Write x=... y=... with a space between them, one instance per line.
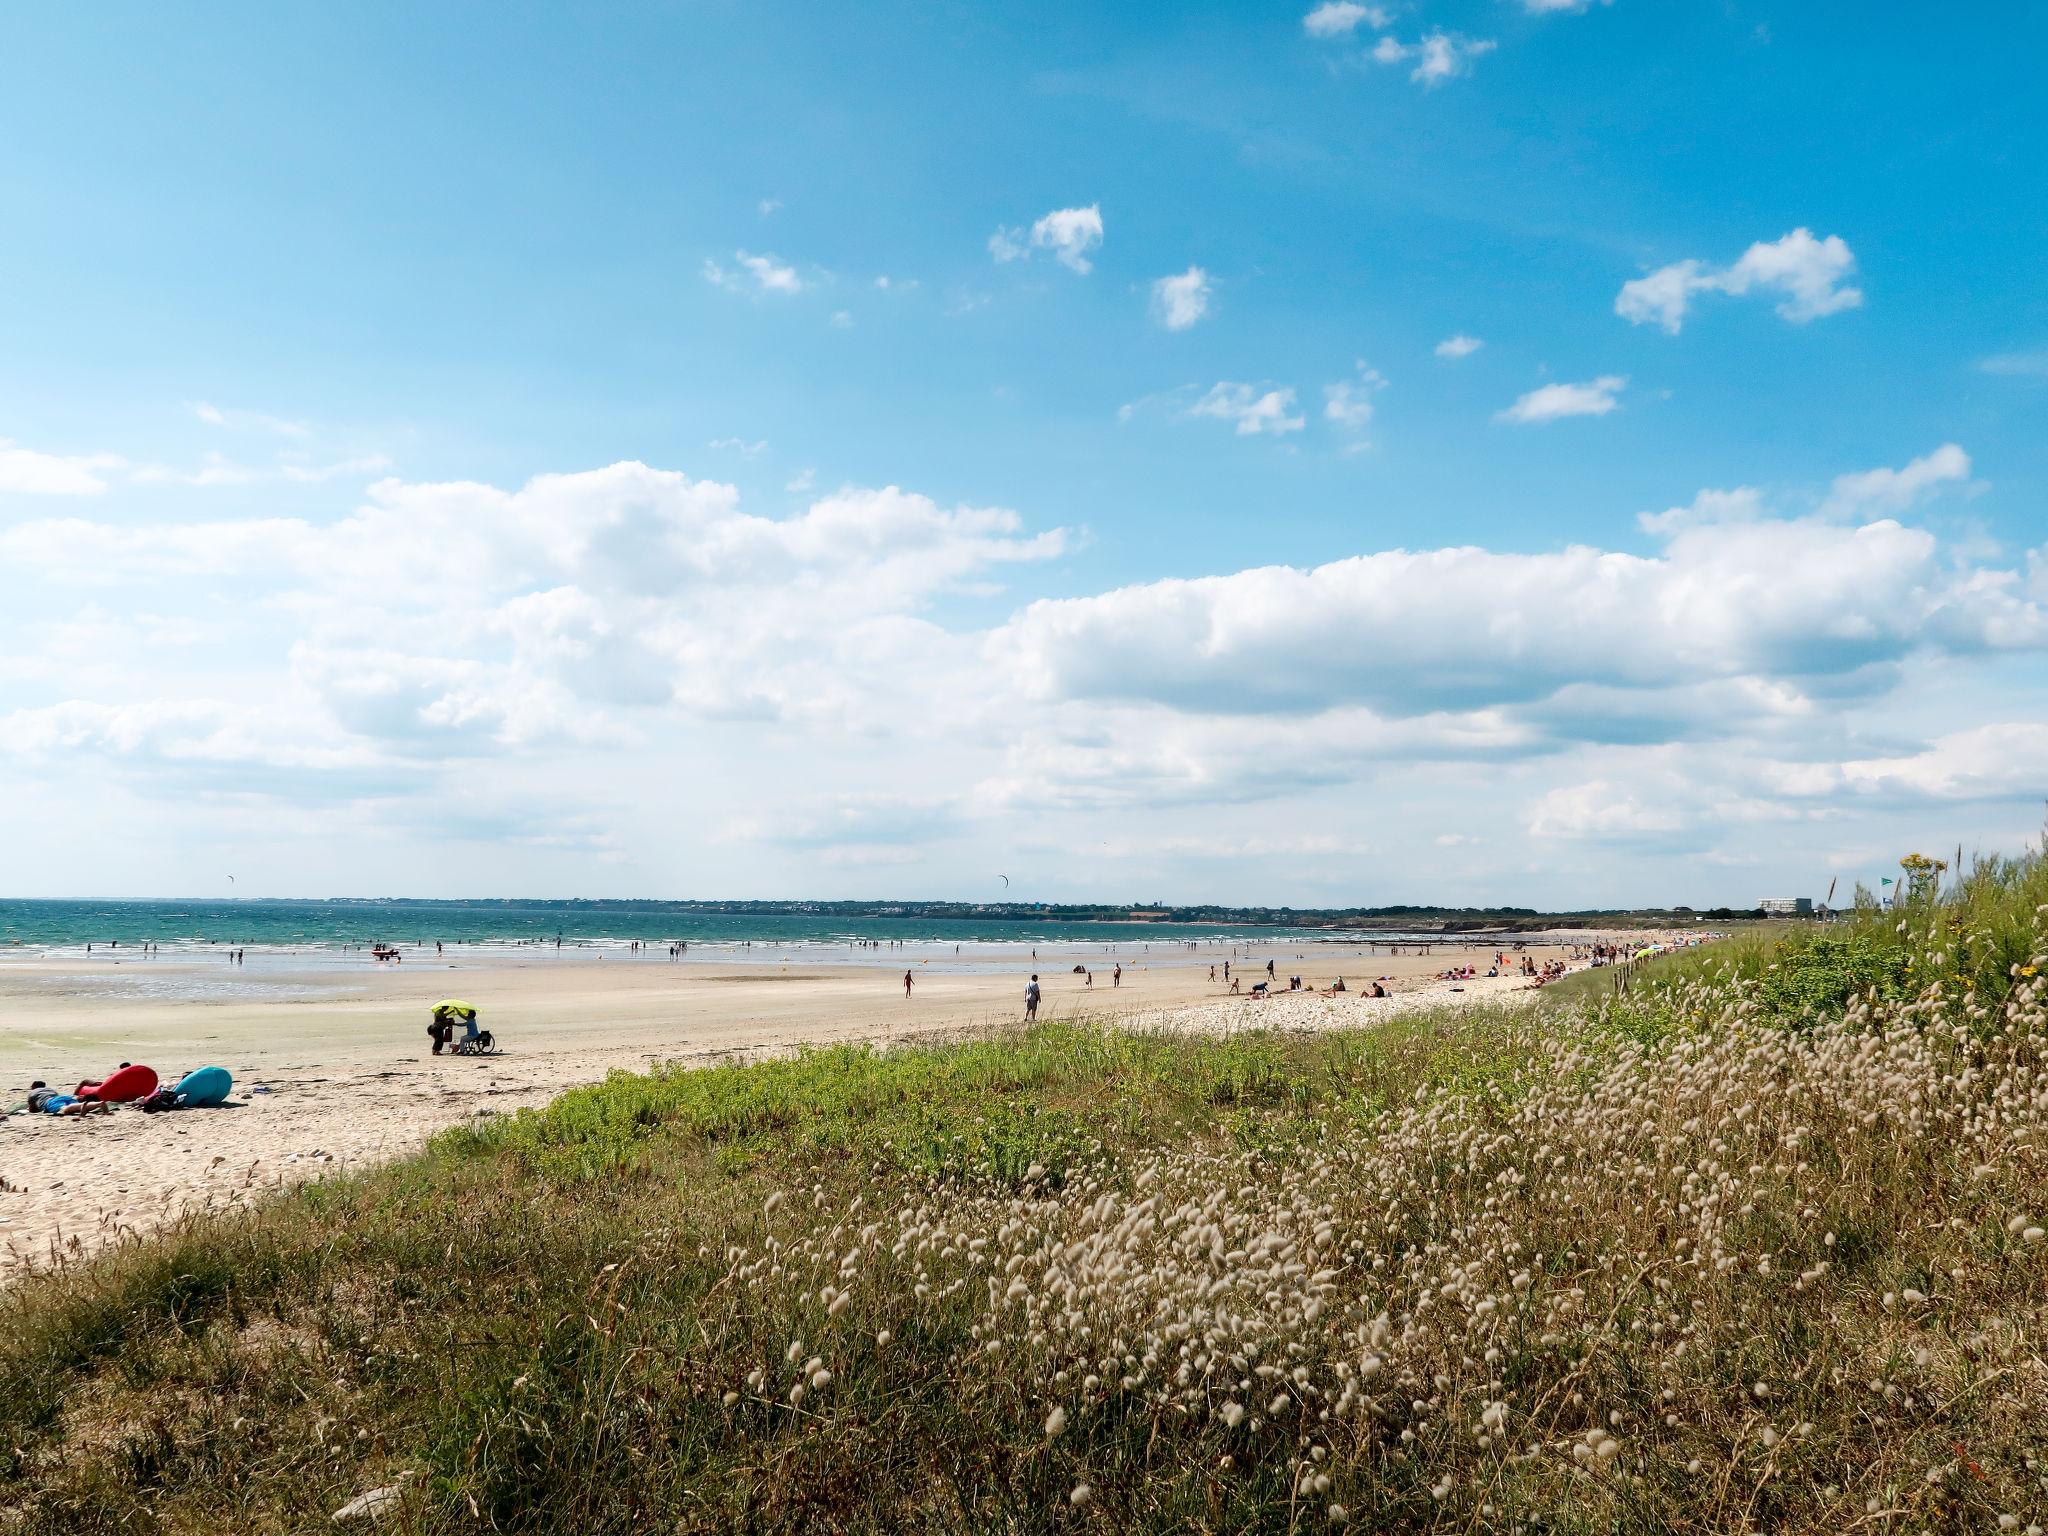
x=343 y=1058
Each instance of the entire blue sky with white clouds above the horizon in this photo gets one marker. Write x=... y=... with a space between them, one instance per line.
x=824 y=452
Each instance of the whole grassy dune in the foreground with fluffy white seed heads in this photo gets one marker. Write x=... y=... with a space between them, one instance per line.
x=1756 y=1246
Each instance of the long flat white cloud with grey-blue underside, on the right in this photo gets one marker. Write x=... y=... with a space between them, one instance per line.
x=1457 y=630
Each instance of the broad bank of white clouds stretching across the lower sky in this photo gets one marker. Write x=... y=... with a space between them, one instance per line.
x=601 y=634
